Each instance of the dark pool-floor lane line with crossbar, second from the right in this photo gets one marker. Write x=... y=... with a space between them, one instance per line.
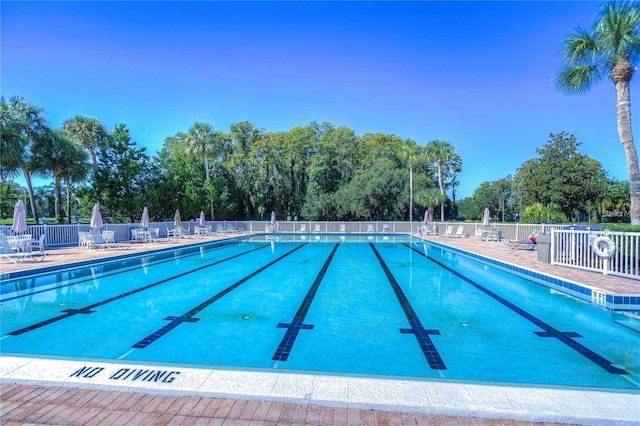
x=422 y=335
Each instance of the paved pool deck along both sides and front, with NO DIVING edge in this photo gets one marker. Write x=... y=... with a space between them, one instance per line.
x=48 y=392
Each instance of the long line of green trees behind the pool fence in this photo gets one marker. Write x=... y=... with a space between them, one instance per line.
x=312 y=172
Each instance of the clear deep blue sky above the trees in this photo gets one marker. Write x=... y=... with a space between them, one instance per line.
x=478 y=74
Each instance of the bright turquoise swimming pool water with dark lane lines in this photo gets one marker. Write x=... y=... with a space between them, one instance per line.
x=376 y=306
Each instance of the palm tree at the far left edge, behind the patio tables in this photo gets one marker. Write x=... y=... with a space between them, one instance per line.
x=21 y=124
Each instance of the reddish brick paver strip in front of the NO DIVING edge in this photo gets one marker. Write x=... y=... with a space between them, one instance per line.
x=21 y=405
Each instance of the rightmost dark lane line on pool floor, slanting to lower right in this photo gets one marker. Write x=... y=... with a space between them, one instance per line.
x=549 y=331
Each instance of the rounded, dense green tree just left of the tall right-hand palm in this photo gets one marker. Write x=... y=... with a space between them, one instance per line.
x=560 y=175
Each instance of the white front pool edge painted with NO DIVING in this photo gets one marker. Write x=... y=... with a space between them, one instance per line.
x=532 y=404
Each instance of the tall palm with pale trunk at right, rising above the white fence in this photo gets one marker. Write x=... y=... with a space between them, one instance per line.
x=609 y=48
